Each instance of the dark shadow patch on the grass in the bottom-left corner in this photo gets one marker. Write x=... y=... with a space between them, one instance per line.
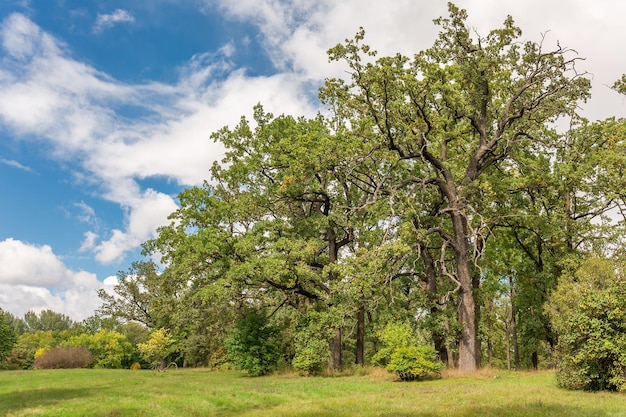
x=13 y=402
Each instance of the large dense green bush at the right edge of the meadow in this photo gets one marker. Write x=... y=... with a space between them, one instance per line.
x=592 y=344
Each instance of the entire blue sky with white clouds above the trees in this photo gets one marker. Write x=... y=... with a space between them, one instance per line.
x=107 y=107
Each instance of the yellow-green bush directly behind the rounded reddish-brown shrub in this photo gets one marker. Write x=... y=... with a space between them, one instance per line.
x=109 y=348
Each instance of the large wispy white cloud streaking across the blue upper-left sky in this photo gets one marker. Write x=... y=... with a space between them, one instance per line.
x=75 y=107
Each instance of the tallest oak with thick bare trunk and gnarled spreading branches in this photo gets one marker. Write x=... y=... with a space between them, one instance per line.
x=454 y=117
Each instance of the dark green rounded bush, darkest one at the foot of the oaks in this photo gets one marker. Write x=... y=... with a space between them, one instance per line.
x=252 y=345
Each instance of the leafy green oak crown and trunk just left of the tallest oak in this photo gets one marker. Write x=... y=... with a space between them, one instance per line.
x=309 y=187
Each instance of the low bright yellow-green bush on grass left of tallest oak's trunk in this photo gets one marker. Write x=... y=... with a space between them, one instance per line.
x=415 y=362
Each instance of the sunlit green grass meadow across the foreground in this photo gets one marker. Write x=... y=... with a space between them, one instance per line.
x=90 y=392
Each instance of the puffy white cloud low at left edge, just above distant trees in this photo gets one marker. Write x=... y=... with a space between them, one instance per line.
x=33 y=278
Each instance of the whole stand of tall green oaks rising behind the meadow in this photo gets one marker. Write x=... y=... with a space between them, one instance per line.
x=450 y=193
